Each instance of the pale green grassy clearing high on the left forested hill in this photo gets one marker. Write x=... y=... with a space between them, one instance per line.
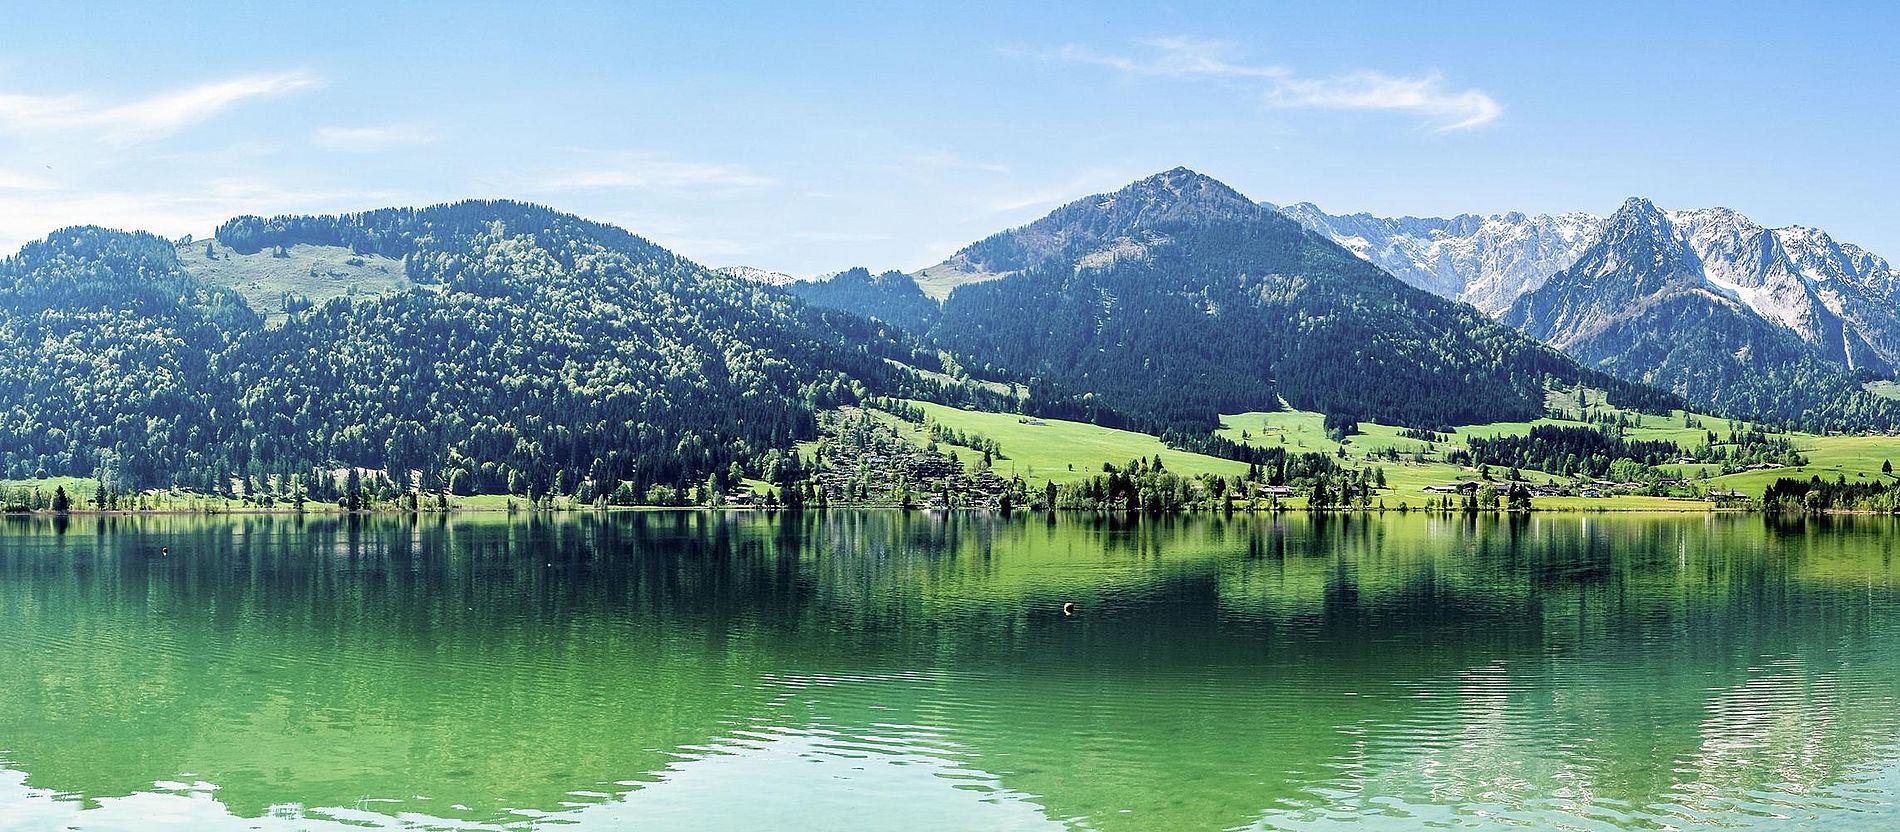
x=318 y=273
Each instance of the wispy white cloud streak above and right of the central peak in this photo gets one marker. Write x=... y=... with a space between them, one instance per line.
x=1428 y=96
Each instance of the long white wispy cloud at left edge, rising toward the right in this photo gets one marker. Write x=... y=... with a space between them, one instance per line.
x=143 y=119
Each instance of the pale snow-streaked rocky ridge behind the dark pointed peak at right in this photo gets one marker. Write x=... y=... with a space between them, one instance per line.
x=1833 y=295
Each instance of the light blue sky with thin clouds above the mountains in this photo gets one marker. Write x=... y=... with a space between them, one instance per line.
x=883 y=136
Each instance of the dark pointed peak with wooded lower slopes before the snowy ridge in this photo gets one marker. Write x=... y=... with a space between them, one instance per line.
x=1643 y=305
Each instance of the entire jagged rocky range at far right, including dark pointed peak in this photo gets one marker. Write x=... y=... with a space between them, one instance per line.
x=1739 y=318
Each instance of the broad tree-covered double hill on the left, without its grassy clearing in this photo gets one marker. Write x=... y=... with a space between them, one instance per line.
x=537 y=352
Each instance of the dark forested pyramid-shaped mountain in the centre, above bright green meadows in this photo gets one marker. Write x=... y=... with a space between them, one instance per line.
x=1179 y=299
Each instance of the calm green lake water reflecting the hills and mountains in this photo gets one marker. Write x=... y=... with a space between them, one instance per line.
x=881 y=671
